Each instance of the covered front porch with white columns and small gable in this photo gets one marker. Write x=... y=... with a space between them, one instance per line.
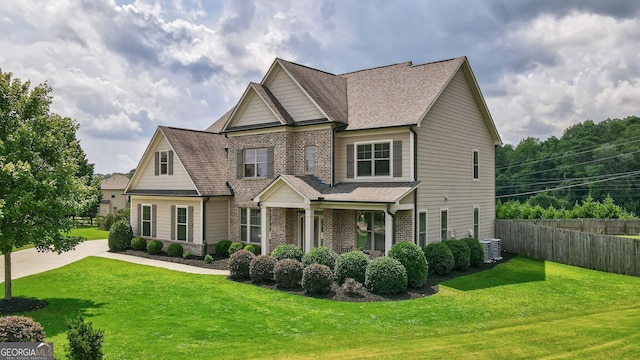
x=301 y=211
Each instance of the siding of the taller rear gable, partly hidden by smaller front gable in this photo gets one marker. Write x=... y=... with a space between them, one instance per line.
x=292 y=98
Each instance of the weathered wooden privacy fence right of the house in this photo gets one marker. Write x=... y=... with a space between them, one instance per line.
x=590 y=250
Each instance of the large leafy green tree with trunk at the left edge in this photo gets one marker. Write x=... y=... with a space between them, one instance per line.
x=41 y=180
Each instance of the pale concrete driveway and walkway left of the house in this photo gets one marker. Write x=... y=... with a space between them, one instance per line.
x=30 y=261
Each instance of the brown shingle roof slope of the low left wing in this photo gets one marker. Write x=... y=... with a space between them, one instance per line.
x=203 y=156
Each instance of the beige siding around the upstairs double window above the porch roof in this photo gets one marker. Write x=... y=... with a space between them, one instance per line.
x=343 y=139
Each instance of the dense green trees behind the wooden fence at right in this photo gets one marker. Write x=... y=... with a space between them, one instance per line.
x=590 y=159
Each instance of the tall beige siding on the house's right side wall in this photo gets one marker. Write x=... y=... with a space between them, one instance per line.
x=447 y=136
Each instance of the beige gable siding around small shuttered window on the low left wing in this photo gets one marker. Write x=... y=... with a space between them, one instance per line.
x=179 y=180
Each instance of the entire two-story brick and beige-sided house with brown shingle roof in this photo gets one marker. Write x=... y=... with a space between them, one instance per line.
x=359 y=160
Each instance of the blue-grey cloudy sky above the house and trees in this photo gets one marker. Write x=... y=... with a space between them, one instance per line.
x=121 y=68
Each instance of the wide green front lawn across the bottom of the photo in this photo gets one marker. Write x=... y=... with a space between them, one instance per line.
x=522 y=309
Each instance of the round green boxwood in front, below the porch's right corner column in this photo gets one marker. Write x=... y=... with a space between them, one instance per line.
x=385 y=275
